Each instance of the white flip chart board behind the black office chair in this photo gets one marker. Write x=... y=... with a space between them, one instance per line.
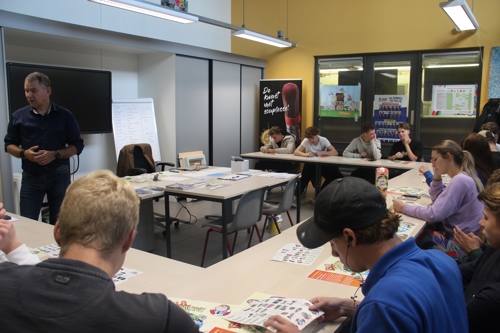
x=134 y=121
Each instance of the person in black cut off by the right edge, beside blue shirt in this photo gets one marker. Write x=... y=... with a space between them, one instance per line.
x=481 y=279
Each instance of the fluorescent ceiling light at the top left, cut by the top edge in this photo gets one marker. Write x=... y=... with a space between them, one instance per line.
x=150 y=9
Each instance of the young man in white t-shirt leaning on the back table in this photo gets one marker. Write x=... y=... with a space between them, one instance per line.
x=316 y=145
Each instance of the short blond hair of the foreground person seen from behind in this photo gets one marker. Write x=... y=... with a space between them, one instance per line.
x=99 y=211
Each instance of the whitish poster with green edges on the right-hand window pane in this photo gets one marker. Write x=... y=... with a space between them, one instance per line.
x=454 y=100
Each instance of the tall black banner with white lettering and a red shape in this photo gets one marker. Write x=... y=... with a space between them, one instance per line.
x=280 y=105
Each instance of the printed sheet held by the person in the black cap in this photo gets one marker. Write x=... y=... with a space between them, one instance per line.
x=295 y=310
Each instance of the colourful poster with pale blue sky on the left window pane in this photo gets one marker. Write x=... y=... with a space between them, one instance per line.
x=340 y=101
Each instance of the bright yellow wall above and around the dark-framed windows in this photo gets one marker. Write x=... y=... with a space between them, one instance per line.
x=331 y=27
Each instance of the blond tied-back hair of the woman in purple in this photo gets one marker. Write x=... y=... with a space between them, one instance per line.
x=461 y=157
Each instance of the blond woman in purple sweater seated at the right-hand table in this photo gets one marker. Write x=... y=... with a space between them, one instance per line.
x=454 y=205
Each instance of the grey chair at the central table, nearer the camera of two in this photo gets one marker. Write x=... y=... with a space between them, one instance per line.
x=248 y=213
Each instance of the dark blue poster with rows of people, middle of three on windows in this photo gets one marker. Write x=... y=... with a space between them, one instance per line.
x=389 y=112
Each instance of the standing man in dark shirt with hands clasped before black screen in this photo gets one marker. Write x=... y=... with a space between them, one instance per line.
x=44 y=135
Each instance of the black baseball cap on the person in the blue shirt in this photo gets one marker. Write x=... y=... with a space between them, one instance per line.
x=349 y=202
